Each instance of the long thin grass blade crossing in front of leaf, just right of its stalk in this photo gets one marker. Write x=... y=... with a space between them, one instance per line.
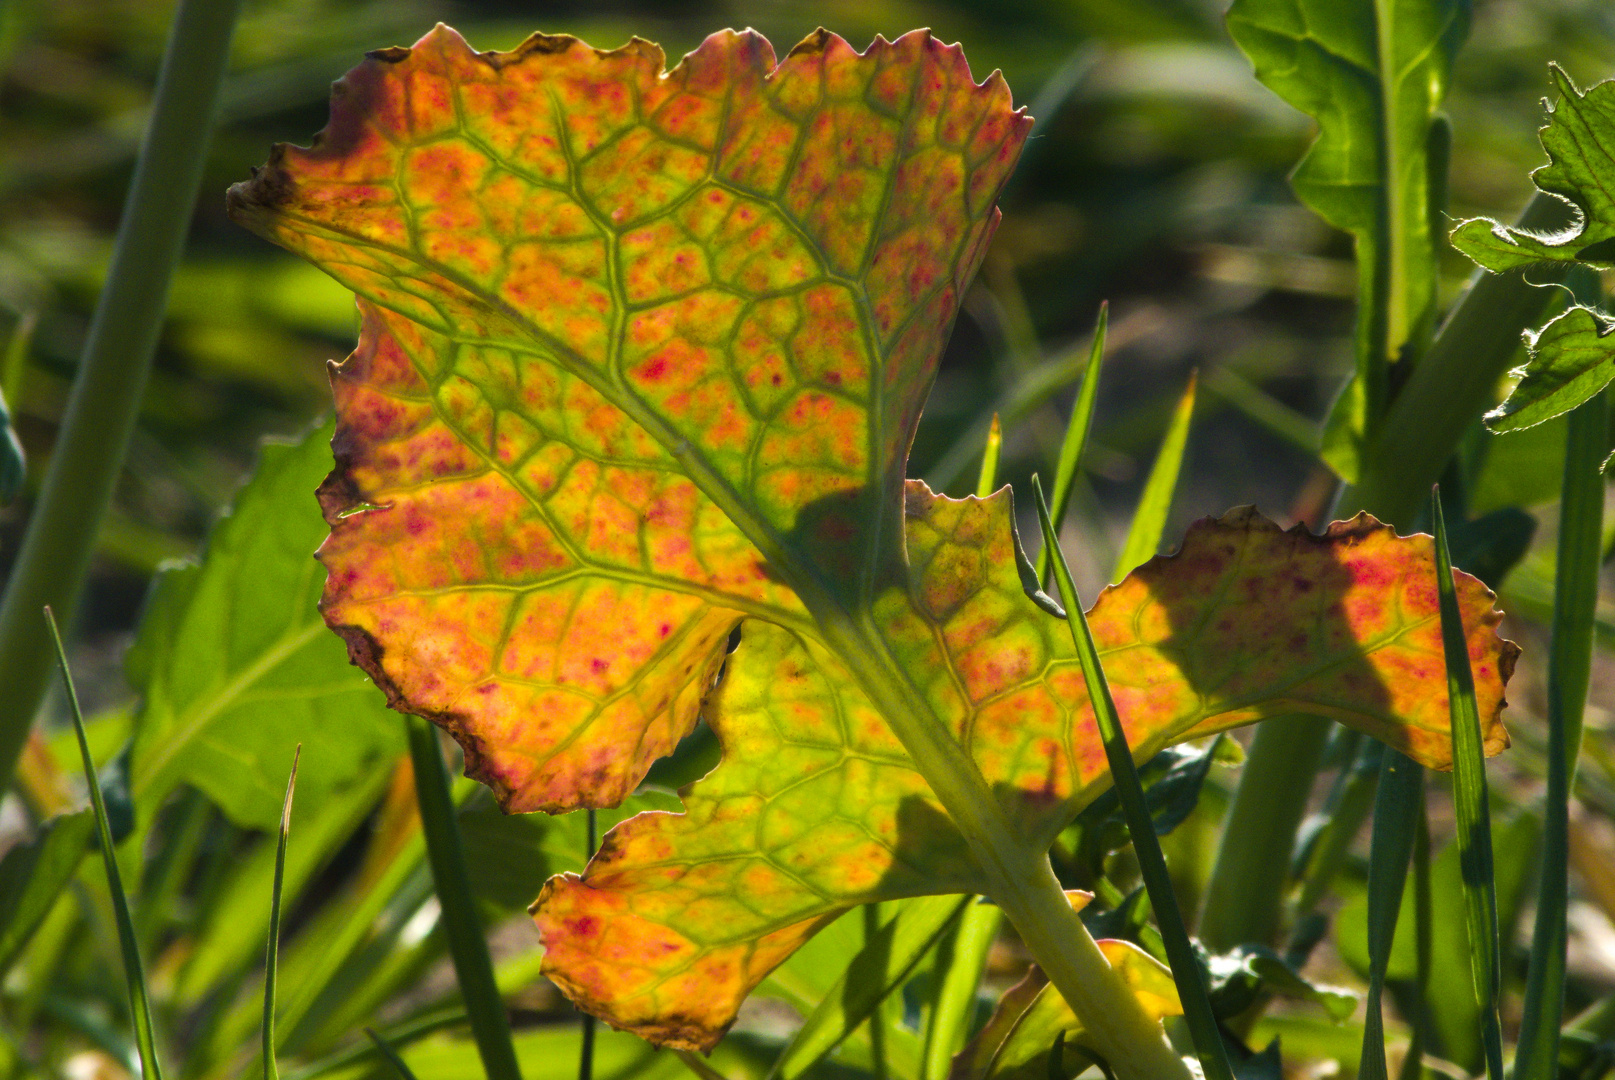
x=1147 y=847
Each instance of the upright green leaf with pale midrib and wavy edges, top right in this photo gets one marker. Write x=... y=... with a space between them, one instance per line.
x=1374 y=75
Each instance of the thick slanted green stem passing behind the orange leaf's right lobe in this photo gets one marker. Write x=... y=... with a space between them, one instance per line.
x=1453 y=385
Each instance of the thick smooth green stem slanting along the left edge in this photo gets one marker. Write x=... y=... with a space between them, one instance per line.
x=117 y=359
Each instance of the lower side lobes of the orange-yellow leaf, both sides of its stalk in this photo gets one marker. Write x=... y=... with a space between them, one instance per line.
x=816 y=806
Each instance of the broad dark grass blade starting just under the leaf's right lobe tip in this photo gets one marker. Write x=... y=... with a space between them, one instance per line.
x=1399 y=805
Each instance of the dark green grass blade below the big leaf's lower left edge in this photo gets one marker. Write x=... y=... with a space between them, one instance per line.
x=461 y=924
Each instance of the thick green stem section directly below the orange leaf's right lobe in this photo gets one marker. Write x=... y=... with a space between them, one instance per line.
x=1246 y=897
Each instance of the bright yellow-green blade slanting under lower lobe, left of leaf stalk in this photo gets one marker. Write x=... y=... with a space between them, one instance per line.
x=887 y=960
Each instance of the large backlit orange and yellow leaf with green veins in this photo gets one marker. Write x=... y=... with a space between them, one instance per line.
x=642 y=359
